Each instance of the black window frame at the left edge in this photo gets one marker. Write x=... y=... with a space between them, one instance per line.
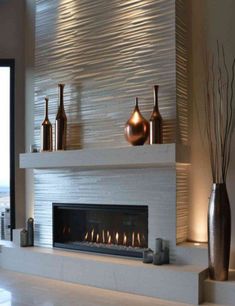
x=11 y=64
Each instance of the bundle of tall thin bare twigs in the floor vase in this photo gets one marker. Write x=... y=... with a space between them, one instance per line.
x=219 y=91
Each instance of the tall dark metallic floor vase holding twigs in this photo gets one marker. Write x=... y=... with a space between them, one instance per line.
x=219 y=232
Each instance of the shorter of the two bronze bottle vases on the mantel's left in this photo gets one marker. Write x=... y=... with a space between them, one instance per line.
x=46 y=132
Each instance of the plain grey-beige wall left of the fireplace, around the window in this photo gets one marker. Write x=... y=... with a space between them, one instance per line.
x=12 y=46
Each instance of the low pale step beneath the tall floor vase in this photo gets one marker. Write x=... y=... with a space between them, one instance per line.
x=220 y=292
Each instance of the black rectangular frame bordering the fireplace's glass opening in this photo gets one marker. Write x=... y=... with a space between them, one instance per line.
x=125 y=251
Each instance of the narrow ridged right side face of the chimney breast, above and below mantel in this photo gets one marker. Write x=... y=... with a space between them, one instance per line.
x=182 y=119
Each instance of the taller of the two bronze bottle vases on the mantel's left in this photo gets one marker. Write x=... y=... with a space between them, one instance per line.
x=61 y=122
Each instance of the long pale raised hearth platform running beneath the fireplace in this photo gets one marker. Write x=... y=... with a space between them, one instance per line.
x=181 y=283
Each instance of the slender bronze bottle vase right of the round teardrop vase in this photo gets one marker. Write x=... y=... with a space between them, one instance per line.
x=155 y=122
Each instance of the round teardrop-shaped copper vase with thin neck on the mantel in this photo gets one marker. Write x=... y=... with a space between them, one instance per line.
x=136 y=128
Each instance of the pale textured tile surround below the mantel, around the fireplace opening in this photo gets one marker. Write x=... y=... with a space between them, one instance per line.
x=153 y=187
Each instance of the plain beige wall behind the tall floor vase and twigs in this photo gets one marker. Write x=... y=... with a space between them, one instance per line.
x=211 y=20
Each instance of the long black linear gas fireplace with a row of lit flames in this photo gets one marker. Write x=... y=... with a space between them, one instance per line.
x=110 y=229
